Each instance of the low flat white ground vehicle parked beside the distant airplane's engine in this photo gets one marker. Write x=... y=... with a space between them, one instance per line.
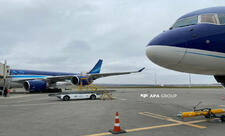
x=66 y=96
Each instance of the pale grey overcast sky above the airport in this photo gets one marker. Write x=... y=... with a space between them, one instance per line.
x=71 y=35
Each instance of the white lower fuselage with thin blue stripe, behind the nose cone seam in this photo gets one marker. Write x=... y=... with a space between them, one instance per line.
x=203 y=62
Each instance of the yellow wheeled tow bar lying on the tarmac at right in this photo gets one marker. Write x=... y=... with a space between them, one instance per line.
x=206 y=112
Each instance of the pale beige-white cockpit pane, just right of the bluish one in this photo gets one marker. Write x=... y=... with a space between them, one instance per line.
x=208 y=18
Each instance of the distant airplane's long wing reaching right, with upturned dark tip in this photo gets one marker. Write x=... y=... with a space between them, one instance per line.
x=100 y=75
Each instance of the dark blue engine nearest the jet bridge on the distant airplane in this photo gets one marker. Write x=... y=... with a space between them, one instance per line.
x=35 y=85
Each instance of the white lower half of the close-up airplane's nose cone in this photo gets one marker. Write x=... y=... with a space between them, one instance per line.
x=165 y=56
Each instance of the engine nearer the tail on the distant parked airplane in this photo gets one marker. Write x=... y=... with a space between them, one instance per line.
x=84 y=80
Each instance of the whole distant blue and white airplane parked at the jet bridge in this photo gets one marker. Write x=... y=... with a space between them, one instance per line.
x=34 y=81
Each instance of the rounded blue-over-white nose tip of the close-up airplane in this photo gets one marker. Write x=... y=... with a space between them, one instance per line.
x=166 y=49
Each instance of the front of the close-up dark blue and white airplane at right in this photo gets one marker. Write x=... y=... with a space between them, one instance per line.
x=194 y=44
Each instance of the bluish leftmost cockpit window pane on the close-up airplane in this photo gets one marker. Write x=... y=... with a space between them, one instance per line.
x=186 y=22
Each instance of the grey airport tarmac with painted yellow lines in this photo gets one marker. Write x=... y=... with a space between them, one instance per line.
x=142 y=112
